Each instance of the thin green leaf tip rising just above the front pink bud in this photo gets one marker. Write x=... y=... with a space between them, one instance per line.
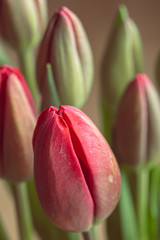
x=52 y=88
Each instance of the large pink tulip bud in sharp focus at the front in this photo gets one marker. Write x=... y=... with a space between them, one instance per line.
x=76 y=174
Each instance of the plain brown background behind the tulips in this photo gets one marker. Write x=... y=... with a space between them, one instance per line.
x=97 y=17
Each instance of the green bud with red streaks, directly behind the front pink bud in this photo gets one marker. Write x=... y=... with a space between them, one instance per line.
x=65 y=46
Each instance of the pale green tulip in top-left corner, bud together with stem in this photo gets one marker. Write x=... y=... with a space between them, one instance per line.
x=22 y=24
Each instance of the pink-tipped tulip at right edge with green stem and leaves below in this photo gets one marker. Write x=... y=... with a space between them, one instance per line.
x=136 y=141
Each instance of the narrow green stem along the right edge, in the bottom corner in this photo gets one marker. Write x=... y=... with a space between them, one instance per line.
x=154 y=186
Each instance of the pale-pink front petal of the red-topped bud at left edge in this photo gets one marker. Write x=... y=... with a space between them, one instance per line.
x=18 y=129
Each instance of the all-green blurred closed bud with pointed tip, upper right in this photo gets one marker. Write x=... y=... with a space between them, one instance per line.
x=122 y=60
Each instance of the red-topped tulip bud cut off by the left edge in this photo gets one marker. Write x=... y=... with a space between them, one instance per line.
x=17 y=122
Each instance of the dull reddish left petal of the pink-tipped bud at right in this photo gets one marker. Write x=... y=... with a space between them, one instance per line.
x=129 y=140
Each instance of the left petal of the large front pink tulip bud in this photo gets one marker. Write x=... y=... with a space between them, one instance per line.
x=59 y=179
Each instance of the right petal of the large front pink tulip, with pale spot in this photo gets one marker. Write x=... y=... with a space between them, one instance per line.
x=92 y=149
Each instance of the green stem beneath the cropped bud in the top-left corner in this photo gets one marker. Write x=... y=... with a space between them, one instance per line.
x=27 y=62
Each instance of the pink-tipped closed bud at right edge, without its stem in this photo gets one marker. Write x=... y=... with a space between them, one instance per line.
x=136 y=138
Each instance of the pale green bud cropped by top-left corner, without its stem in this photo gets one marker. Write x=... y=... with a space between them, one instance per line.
x=22 y=22
